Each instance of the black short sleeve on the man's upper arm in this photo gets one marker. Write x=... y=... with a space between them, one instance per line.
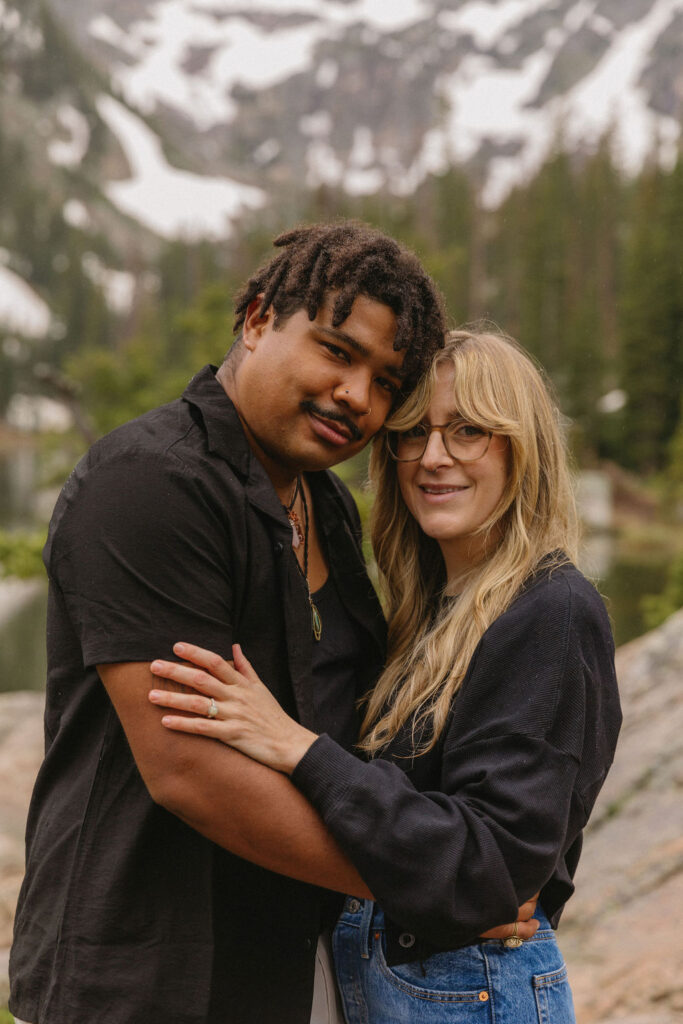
x=142 y=554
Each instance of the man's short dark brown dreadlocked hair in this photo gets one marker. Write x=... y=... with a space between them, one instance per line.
x=351 y=259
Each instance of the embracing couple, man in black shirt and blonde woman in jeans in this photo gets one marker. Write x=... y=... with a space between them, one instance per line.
x=260 y=803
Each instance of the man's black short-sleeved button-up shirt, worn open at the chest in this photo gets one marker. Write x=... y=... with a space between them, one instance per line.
x=169 y=529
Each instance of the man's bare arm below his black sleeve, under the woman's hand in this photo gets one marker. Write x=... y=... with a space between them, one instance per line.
x=243 y=806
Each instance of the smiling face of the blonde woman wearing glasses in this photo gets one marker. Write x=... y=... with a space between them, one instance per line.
x=451 y=499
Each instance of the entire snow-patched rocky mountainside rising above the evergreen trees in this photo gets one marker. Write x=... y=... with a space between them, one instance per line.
x=123 y=122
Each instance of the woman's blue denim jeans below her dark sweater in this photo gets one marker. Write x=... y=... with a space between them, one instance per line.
x=481 y=985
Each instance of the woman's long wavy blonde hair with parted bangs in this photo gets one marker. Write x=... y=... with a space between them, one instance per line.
x=433 y=636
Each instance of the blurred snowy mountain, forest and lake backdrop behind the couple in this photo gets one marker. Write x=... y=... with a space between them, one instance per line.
x=530 y=151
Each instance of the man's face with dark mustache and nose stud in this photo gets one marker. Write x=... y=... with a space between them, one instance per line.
x=312 y=396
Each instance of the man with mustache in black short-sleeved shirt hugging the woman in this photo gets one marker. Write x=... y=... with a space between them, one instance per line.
x=196 y=523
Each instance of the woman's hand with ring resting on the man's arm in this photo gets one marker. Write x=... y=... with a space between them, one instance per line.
x=247 y=716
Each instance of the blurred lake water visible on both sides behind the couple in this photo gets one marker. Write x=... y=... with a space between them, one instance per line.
x=622 y=580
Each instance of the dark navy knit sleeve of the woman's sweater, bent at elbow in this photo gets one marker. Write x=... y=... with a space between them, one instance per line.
x=450 y=864
